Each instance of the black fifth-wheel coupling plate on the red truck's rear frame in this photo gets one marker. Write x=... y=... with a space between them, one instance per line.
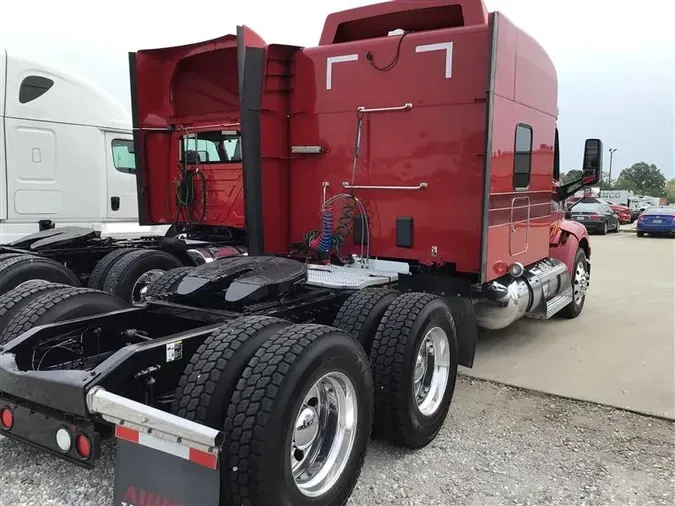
x=245 y=278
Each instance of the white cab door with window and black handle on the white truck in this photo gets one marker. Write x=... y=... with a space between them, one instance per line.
x=121 y=203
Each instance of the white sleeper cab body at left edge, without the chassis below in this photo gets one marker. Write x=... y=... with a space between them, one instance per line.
x=66 y=155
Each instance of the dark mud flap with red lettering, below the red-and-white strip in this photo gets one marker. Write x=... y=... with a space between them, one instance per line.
x=148 y=477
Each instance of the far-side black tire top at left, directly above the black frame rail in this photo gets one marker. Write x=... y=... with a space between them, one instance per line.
x=58 y=305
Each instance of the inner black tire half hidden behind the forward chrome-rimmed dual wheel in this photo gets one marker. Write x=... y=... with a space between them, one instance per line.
x=361 y=313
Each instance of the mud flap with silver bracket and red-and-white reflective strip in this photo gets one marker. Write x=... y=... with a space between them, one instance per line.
x=162 y=459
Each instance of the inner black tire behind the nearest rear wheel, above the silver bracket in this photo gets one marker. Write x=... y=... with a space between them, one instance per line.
x=205 y=388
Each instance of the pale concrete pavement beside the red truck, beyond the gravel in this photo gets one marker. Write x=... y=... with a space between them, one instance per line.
x=620 y=351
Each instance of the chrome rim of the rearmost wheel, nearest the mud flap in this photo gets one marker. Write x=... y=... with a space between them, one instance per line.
x=323 y=434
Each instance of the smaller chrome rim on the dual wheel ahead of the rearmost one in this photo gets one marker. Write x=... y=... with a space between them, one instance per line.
x=432 y=370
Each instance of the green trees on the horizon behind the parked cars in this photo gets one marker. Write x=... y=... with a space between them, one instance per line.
x=641 y=178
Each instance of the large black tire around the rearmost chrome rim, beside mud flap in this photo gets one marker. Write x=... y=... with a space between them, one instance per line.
x=263 y=412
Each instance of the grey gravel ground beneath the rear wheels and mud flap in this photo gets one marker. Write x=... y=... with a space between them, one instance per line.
x=500 y=446
